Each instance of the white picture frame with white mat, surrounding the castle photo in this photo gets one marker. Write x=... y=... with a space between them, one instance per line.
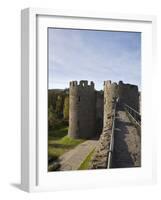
x=34 y=176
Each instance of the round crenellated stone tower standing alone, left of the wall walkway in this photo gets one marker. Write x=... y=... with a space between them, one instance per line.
x=82 y=110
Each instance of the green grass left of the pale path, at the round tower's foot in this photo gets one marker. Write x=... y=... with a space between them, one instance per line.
x=59 y=142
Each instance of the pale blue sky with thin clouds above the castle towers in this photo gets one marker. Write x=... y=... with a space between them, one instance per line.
x=94 y=56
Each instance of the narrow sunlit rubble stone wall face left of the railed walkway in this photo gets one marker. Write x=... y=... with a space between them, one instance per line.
x=101 y=153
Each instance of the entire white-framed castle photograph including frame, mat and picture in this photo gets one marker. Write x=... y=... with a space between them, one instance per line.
x=86 y=109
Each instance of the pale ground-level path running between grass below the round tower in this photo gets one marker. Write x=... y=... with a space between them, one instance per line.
x=73 y=158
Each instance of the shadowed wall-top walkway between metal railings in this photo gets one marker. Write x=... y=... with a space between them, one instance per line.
x=127 y=143
